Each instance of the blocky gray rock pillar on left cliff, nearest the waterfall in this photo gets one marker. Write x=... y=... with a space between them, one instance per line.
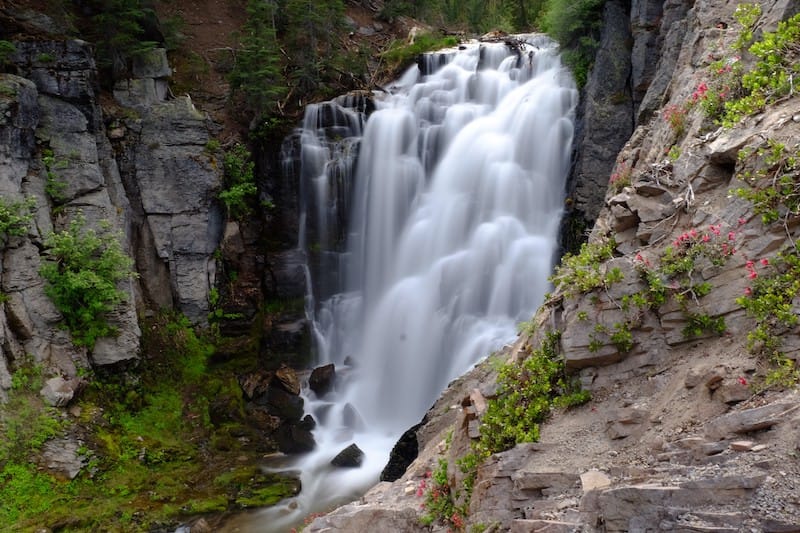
x=172 y=184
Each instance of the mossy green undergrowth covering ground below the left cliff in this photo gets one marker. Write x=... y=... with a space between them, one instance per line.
x=160 y=443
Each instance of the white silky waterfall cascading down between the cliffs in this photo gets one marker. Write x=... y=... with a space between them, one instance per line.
x=433 y=243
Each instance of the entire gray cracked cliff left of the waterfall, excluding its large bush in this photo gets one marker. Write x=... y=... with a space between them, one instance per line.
x=148 y=175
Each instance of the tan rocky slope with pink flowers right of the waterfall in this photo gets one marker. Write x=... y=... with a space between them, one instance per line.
x=682 y=432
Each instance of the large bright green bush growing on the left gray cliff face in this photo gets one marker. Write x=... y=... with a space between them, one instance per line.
x=82 y=273
